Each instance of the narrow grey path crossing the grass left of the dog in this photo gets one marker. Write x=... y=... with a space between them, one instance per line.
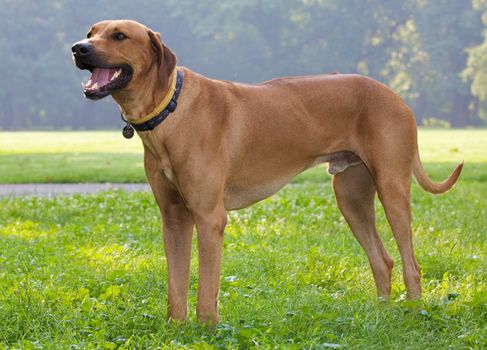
x=7 y=190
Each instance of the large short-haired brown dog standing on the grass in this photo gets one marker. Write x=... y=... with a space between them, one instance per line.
x=228 y=145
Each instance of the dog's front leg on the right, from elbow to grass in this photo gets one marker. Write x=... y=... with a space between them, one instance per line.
x=210 y=227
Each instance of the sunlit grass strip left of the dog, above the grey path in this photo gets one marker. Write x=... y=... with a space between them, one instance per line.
x=60 y=157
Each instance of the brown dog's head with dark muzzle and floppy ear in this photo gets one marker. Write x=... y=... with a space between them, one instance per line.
x=120 y=54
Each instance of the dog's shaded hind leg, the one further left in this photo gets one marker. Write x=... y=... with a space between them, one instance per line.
x=355 y=192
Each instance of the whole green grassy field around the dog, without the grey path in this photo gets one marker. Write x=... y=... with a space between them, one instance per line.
x=88 y=271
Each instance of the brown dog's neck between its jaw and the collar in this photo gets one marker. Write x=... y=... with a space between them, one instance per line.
x=137 y=103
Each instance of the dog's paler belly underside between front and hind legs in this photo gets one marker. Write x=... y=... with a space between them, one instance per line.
x=238 y=196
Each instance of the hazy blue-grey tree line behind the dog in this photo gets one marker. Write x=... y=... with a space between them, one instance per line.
x=432 y=52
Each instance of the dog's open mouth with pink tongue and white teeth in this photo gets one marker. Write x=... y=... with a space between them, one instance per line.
x=105 y=80
